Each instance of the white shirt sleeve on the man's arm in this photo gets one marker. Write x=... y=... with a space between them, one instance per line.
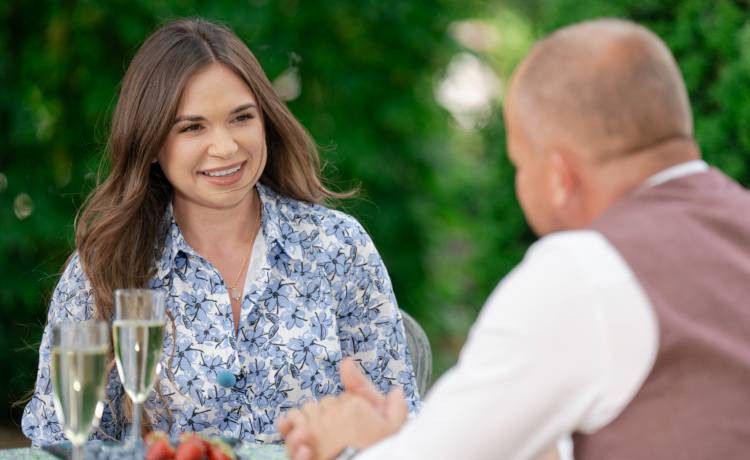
x=562 y=345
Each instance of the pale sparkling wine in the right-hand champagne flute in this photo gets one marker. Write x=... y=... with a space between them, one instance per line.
x=138 y=345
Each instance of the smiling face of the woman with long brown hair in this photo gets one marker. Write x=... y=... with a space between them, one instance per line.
x=216 y=150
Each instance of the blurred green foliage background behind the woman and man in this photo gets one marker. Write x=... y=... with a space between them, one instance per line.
x=403 y=98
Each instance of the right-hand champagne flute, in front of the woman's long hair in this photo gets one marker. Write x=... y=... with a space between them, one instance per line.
x=138 y=332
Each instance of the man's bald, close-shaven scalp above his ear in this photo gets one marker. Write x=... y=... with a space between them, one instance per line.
x=607 y=88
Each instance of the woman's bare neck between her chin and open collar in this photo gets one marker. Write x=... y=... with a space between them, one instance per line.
x=211 y=230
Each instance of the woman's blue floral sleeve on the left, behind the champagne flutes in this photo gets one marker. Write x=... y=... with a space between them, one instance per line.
x=72 y=300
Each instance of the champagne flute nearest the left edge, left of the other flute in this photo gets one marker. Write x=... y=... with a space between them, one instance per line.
x=79 y=360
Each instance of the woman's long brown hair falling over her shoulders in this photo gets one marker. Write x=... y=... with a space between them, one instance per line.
x=118 y=228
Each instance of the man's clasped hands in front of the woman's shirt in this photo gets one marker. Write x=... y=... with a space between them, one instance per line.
x=358 y=418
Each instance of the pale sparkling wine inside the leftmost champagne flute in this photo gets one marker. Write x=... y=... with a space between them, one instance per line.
x=78 y=378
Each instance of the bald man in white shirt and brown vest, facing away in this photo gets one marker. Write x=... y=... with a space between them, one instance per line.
x=627 y=323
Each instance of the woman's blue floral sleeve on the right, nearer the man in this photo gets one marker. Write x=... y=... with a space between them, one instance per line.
x=369 y=323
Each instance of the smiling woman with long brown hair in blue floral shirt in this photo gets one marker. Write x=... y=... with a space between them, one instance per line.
x=214 y=197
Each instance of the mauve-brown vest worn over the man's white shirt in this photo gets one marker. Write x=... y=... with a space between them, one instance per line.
x=688 y=243
